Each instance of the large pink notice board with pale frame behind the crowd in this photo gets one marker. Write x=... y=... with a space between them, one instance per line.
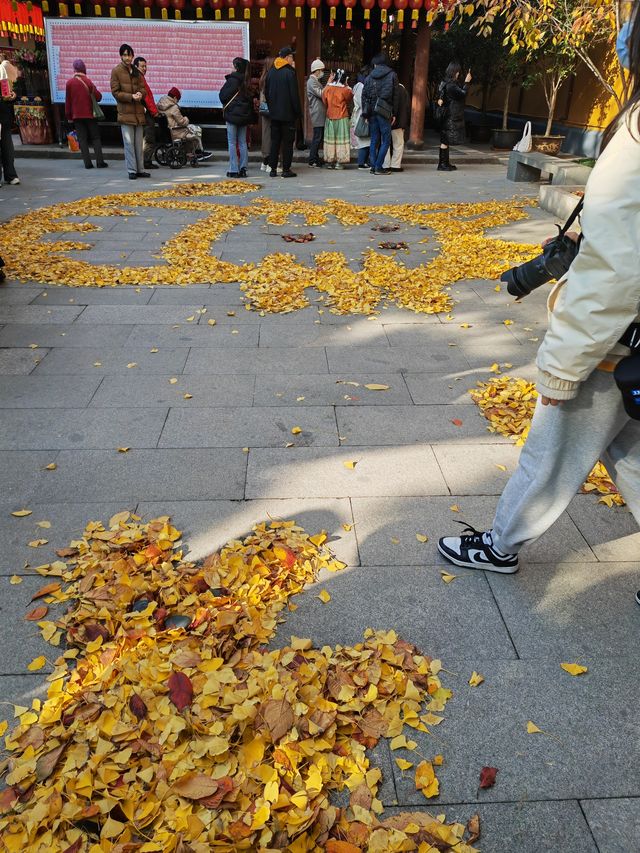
x=192 y=55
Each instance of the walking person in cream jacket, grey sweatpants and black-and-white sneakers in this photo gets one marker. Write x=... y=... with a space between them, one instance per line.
x=579 y=417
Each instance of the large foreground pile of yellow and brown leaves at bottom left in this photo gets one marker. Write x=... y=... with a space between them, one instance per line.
x=198 y=737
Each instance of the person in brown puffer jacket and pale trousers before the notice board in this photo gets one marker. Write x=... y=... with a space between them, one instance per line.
x=127 y=87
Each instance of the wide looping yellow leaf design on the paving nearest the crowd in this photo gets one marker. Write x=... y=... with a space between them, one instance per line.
x=278 y=283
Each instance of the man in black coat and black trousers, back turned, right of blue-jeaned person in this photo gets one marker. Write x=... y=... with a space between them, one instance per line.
x=283 y=100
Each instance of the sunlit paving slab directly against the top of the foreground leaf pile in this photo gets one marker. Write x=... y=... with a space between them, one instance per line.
x=208 y=525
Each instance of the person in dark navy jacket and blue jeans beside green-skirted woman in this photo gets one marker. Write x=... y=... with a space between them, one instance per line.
x=380 y=102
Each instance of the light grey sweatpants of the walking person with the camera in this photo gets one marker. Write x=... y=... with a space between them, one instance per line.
x=563 y=445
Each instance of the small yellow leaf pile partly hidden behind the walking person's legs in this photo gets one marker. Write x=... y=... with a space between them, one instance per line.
x=508 y=404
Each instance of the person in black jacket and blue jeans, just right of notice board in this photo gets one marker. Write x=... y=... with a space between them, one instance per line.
x=237 y=107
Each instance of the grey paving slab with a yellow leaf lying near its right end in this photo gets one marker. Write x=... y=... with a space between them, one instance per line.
x=285 y=390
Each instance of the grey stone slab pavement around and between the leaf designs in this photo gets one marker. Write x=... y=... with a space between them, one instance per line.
x=73 y=400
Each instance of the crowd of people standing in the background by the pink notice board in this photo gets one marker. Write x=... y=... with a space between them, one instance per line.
x=369 y=116
